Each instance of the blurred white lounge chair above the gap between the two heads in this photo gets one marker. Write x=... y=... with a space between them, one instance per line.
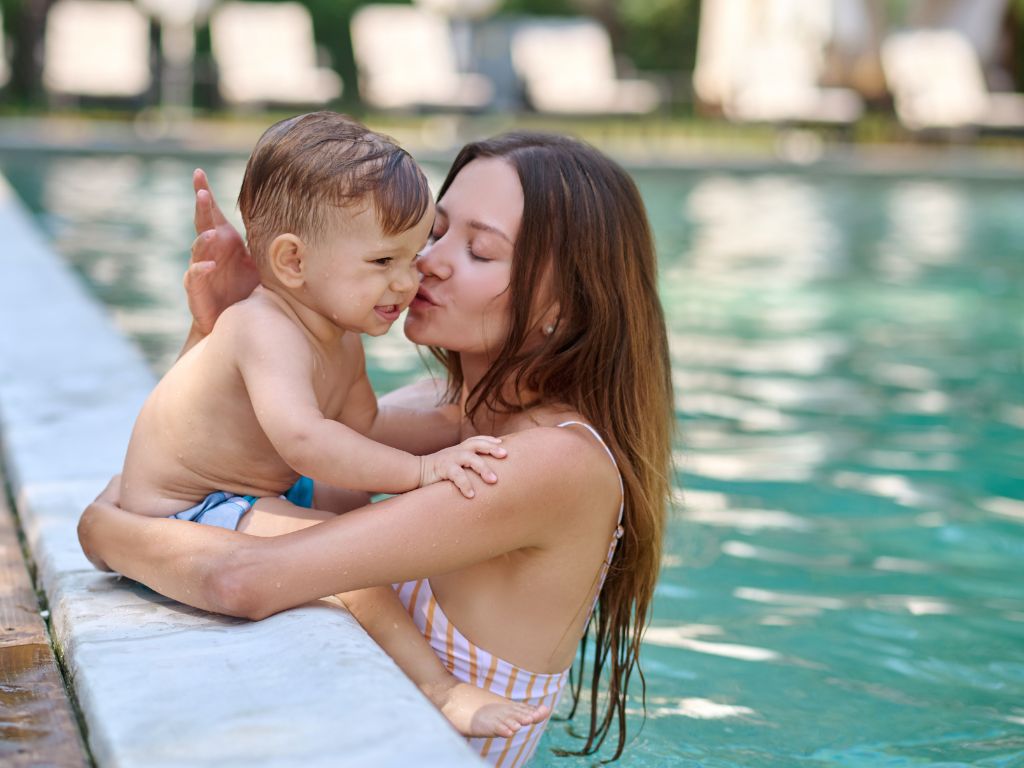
x=406 y=58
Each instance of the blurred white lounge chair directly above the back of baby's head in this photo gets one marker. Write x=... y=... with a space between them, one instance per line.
x=267 y=54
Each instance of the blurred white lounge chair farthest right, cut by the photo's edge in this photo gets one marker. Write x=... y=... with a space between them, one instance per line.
x=936 y=82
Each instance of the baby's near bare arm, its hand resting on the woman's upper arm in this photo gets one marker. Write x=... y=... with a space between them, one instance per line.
x=277 y=364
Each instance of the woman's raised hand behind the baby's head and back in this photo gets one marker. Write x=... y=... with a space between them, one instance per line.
x=222 y=272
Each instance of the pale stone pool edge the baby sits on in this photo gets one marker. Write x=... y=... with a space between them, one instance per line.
x=158 y=684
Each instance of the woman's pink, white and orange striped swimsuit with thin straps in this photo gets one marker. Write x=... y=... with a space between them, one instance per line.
x=474 y=665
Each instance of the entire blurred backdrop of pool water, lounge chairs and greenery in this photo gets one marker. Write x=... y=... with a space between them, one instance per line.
x=835 y=191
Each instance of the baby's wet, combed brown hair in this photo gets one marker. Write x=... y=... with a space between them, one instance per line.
x=305 y=167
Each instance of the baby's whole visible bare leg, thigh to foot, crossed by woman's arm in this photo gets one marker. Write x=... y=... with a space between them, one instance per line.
x=473 y=711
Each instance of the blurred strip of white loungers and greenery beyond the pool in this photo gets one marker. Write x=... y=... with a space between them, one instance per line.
x=850 y=70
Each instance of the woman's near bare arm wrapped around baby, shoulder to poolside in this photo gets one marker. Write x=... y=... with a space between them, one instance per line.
x=431 y=531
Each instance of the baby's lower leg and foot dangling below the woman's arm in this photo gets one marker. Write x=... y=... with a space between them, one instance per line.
x=473 y=711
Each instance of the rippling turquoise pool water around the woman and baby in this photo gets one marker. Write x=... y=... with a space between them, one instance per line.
x=844 y=578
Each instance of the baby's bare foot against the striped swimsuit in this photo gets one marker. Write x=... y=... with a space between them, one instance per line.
x=476 y=712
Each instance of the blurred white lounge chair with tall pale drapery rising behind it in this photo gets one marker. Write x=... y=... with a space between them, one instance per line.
x=763 y=61
